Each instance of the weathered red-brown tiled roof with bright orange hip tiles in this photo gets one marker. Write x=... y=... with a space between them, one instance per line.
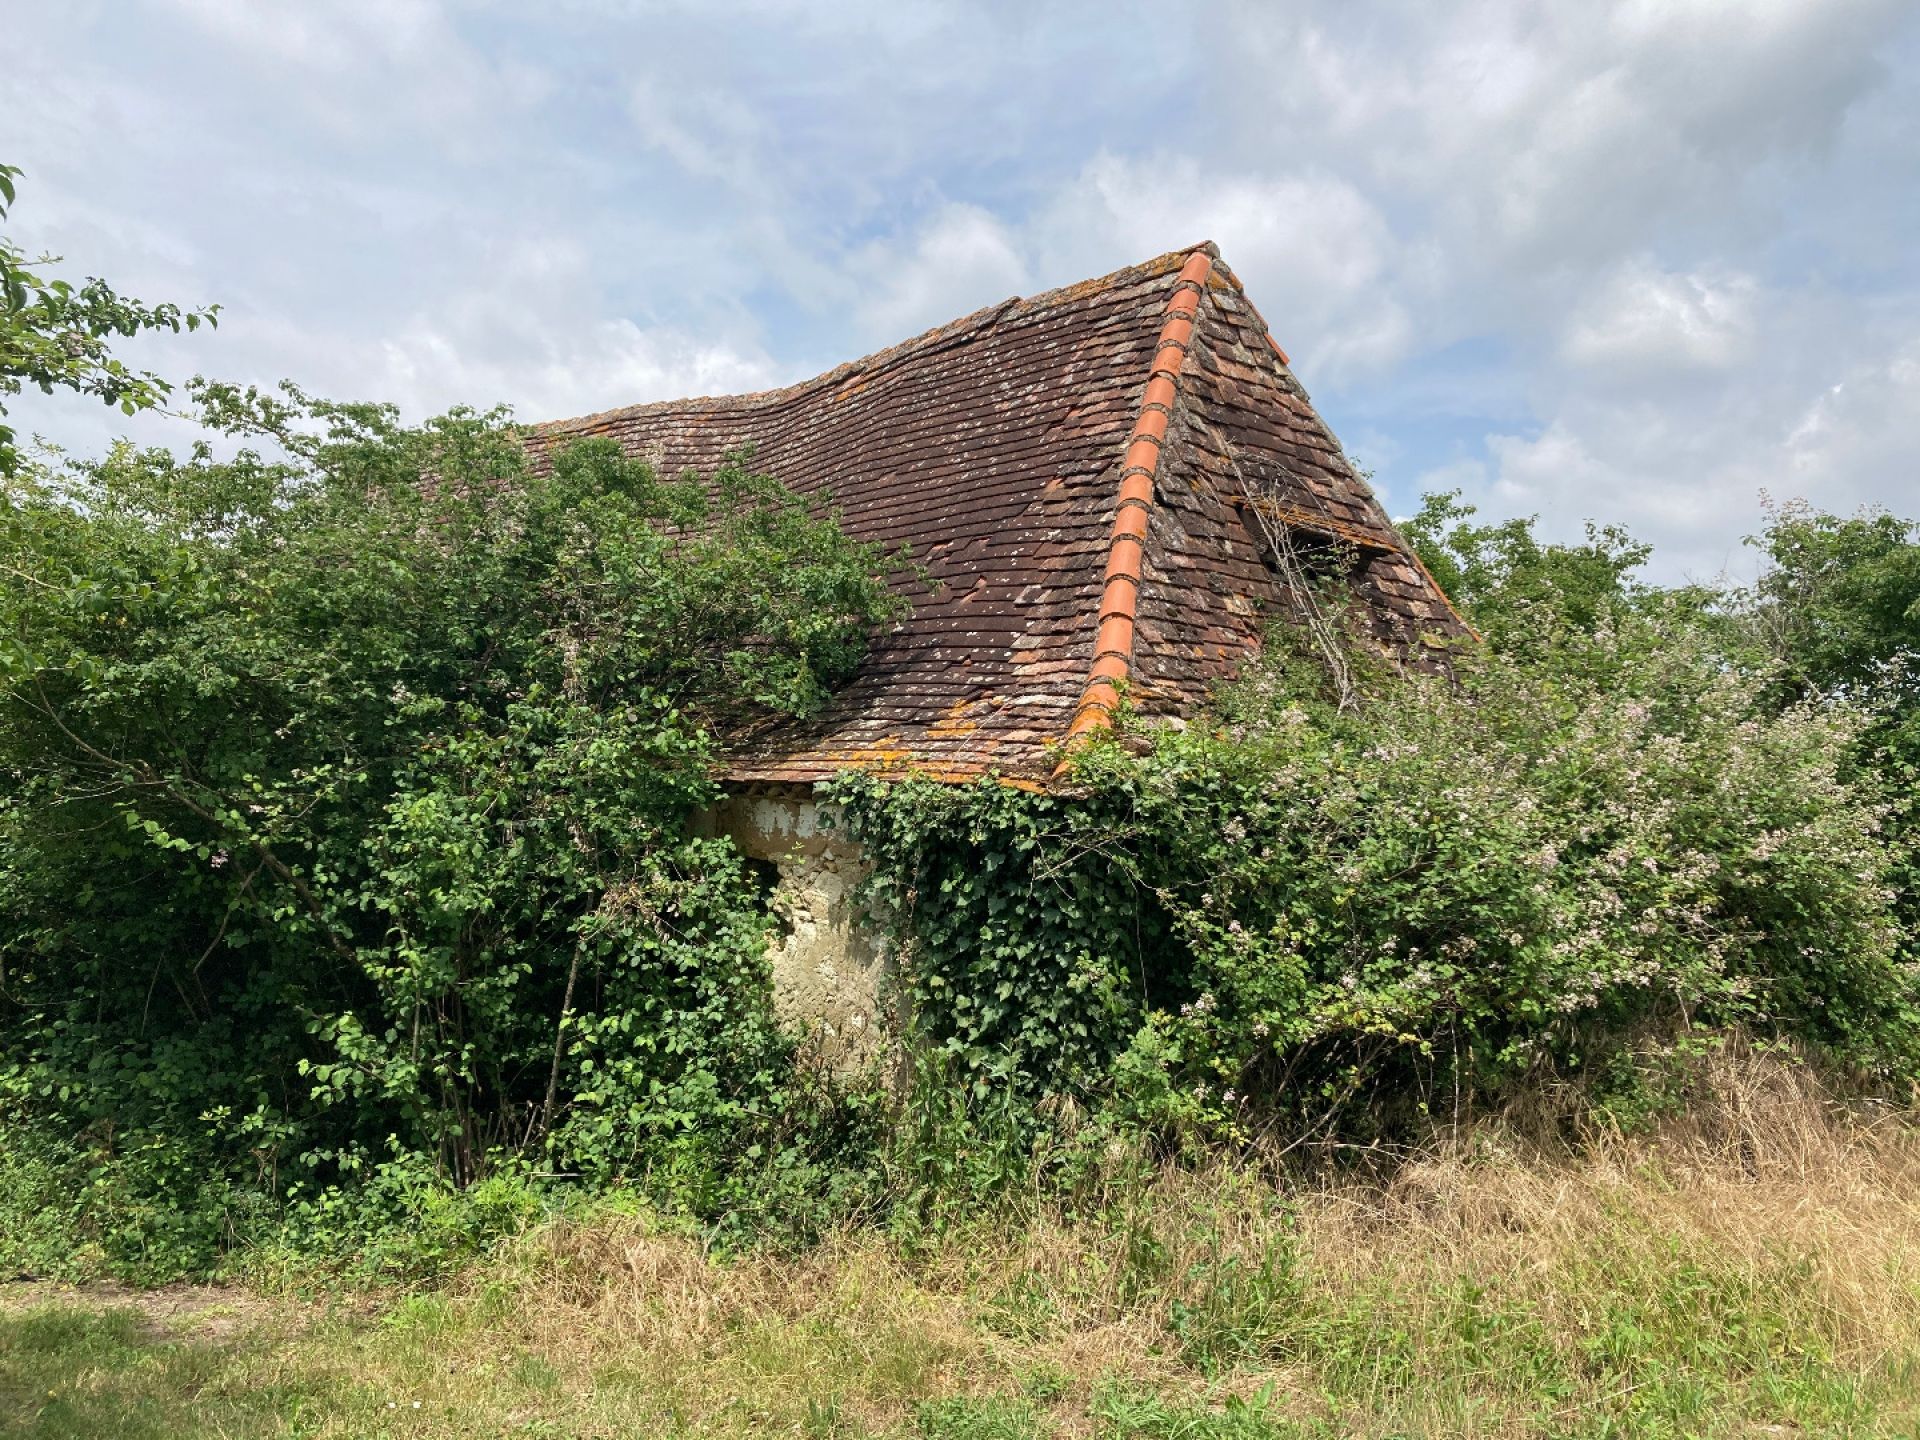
x=1019 y=454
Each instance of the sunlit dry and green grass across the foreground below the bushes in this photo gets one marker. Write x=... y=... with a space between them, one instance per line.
x=1750 y=1266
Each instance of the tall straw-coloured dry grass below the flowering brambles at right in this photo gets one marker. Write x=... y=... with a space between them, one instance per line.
x=1767 y=1166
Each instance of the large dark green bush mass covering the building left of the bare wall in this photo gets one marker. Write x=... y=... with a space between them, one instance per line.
x=345 y=794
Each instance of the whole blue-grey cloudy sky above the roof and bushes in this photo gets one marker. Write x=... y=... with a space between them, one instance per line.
x=1633 y=262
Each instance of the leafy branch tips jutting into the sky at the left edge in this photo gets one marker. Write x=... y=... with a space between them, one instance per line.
x=55 y=335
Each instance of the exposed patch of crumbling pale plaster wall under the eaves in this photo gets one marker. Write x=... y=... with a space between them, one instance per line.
x=830 y=972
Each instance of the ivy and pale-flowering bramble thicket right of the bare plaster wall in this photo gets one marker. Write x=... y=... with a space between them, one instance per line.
x=1604 y=834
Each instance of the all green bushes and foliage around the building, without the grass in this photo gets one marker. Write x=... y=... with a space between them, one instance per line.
x=348 y=886
